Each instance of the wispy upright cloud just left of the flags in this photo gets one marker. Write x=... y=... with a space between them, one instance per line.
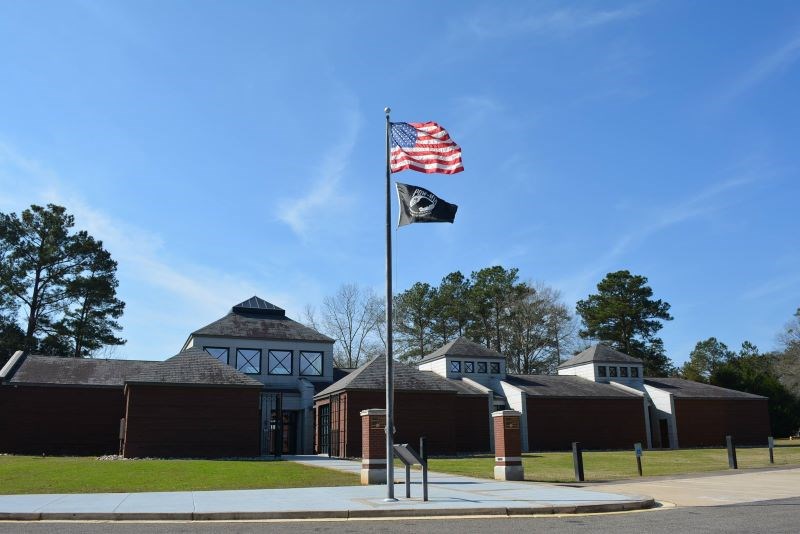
x=325 y=199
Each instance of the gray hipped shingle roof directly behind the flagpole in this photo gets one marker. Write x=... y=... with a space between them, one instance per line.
x=372 y=376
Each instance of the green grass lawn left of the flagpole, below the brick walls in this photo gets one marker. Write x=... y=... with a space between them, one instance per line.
x=33 y=474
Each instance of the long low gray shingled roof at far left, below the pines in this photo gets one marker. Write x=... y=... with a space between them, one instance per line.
x=35 y=369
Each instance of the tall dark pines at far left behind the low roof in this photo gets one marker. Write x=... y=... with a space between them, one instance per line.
x=60 y=280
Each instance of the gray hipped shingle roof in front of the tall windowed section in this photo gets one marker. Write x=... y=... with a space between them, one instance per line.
x=194 y=367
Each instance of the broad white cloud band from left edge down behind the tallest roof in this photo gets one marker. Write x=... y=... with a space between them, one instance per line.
x=153 y=282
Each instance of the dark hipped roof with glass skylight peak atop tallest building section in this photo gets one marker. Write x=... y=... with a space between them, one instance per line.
x=258 y=319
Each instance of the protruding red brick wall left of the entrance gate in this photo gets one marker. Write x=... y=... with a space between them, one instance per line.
x=192 y=422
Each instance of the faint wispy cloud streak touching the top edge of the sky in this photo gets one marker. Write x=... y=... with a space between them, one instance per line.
x=556 y=22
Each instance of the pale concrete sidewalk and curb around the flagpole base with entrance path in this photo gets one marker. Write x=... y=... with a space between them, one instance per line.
x=449 y=495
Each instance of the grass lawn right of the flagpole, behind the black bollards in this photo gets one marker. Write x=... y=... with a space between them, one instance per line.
x=614 y=465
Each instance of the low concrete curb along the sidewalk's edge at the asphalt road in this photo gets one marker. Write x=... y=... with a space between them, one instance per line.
x=641 y=504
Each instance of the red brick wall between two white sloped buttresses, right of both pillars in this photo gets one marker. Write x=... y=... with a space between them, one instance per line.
x=554 y=423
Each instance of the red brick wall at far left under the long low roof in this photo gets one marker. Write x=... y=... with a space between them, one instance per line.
x=60 y=420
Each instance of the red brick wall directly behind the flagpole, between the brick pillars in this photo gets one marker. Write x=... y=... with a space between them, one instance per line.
x=452 y=423
